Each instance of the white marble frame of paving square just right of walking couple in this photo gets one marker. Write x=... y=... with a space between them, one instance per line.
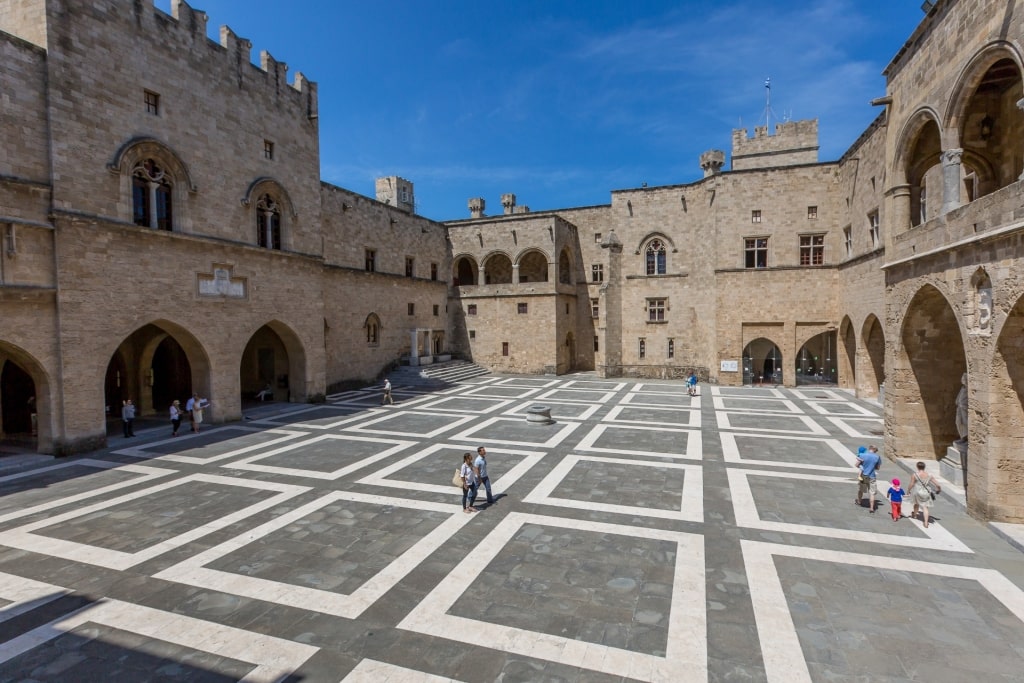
x=691 y=500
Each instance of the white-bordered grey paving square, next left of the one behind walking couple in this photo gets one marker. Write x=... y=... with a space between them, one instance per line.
x=323 y=457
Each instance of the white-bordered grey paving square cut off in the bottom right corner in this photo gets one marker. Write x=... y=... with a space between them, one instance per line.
x=815 y=630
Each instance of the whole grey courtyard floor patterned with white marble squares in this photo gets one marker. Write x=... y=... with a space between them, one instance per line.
x=646 y=536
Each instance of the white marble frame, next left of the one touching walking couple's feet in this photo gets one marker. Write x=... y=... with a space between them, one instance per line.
x=24 y=539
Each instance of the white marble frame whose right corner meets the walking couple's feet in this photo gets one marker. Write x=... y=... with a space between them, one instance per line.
x=194 y=573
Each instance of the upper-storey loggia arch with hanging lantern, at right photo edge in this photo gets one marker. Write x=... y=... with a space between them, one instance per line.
x=983 y=112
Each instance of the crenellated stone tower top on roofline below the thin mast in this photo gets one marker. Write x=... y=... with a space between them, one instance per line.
x=794 y=143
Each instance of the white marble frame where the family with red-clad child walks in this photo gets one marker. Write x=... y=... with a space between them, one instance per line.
x=938 y=538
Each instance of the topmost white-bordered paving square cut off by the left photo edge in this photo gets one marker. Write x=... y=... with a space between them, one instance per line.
x=48 y=488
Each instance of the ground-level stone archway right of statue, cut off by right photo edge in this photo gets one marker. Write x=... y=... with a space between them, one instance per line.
x=998 y=476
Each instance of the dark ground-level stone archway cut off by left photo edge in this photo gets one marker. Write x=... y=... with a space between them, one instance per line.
x=18 y=370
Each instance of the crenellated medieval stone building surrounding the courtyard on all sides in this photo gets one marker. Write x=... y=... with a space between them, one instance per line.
x=165 y=232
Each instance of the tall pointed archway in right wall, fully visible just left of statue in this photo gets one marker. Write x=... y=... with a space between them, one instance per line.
x=930 y=364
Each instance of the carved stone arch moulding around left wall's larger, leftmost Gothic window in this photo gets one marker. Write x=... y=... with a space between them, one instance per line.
x=138 y=151
